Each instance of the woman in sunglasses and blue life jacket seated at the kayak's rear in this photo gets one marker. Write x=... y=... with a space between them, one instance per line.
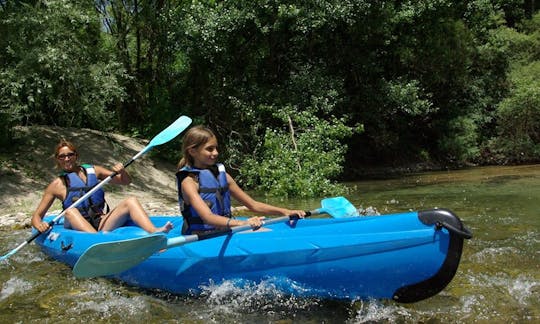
x=93 y=214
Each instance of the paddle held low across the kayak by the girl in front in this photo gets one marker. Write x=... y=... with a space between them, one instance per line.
x=109 y=258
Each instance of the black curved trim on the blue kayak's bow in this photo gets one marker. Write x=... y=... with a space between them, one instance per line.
x=440 y=218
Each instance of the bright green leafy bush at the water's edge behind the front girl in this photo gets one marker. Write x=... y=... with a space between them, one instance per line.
x=300 y=161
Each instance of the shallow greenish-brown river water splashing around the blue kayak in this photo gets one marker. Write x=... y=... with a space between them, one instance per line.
x=498 y=279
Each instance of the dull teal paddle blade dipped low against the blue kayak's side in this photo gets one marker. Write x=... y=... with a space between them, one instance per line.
x=107 y=258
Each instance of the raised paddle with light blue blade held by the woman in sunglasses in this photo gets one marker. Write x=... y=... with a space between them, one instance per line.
x=163 y=137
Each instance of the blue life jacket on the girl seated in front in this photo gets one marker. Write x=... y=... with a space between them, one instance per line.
x=214 y=190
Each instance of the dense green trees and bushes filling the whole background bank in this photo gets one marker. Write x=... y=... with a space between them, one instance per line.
x=437 y=80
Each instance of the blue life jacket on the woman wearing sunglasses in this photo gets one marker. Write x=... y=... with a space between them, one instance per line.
x=76 y=188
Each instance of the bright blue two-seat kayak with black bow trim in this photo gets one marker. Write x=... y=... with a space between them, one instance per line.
x=405 y=257
